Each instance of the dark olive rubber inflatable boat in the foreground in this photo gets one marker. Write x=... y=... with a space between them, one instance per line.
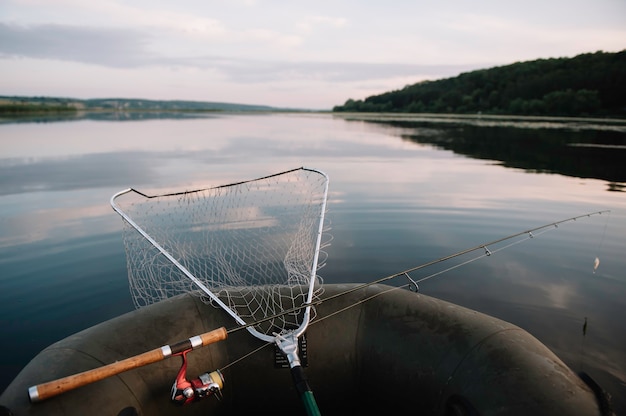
x=395 y=351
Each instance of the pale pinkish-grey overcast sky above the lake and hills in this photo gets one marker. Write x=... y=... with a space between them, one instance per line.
x=296 y=54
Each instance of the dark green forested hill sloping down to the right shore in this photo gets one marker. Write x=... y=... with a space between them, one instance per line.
x=592 y=84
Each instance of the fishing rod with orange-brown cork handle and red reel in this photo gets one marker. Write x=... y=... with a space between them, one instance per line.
x=209 y=383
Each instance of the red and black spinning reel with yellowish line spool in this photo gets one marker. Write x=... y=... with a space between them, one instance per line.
x=188 y=391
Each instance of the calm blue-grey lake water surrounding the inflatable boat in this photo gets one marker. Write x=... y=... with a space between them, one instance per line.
x=403 y=191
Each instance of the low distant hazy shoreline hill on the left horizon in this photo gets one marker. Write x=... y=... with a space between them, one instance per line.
x=23 y=105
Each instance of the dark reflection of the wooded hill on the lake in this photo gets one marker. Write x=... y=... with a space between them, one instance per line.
x=581 y=152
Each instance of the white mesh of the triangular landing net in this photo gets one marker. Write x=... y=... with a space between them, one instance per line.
x=252 y=244
